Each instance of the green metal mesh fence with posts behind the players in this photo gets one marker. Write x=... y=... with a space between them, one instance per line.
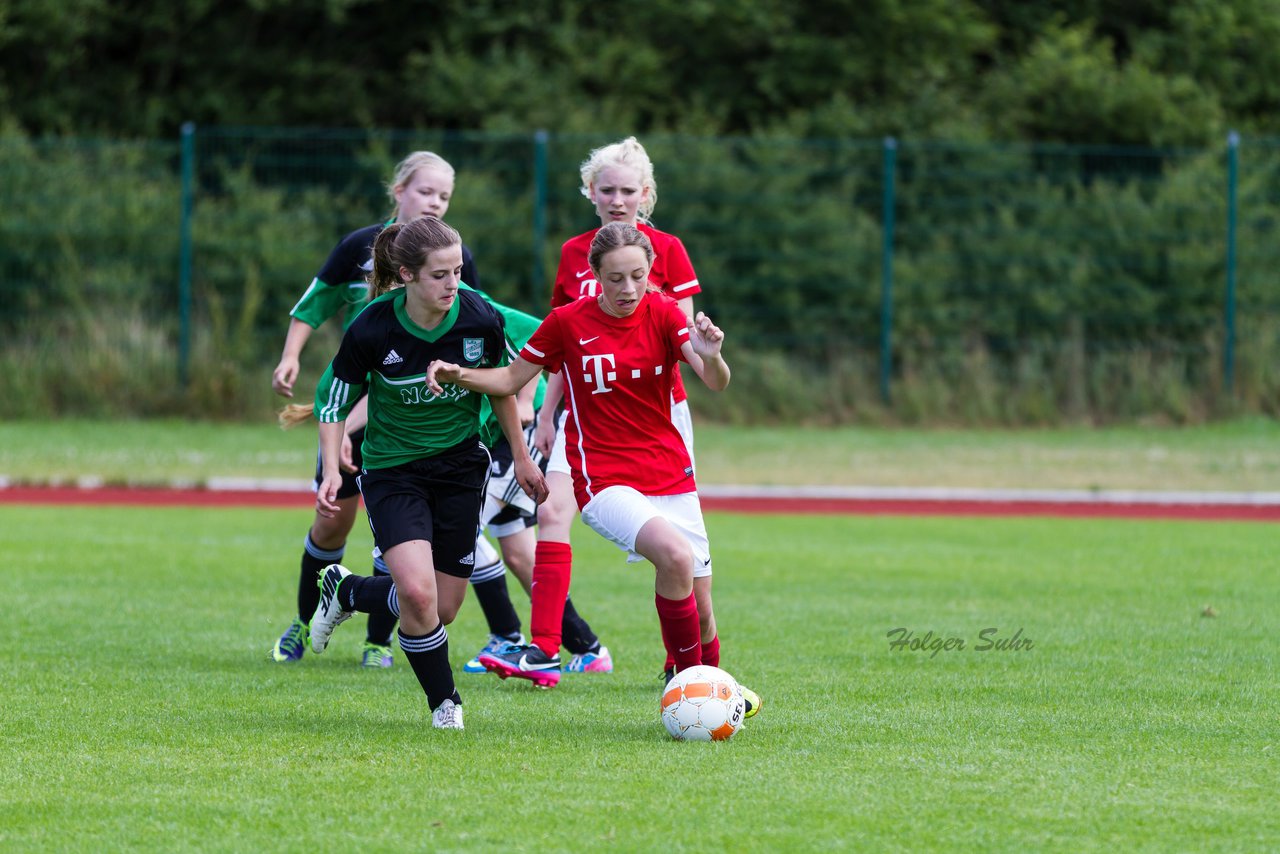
x=931 y=281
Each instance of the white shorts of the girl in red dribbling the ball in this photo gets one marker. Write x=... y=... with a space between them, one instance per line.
x=620 y=513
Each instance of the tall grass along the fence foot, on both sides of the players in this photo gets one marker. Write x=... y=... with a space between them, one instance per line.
x=125 y=366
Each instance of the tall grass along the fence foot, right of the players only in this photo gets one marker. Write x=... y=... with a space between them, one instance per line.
x=1044 y=385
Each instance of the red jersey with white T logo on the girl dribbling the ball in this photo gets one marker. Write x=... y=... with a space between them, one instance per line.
x=619 y=373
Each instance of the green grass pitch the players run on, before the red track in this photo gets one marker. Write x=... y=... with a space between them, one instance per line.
x=141 y=711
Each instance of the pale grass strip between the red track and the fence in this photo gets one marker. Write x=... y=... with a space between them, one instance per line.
x=1232 y=456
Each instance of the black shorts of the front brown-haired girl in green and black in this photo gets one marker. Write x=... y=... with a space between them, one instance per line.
x=436 y=499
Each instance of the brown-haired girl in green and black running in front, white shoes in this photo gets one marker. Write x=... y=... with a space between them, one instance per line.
x=426 y=464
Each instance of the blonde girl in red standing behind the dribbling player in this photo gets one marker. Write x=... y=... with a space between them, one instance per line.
x=619 y=180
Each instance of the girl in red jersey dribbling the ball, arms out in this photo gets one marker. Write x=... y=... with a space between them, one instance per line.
x=633 y=476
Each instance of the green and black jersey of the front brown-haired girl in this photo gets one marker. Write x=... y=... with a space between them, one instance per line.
x=386 y=355
